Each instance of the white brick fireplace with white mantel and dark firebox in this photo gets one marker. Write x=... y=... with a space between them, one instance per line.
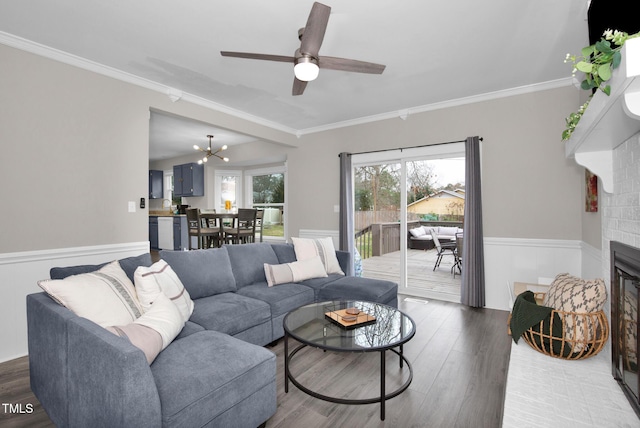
x=607 y=142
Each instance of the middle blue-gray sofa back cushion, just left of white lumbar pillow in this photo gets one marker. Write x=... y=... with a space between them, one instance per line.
x=247 y=262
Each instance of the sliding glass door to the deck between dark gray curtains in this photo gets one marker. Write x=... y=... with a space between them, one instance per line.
x=400 y=196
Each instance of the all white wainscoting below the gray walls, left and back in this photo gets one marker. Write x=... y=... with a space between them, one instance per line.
x=506 y=260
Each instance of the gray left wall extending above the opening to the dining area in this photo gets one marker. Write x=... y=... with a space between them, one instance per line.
x=74 y=151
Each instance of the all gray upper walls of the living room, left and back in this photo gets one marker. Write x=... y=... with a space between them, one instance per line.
x=75 y=144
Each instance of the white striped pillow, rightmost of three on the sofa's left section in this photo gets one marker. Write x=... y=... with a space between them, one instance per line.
x=160 y=278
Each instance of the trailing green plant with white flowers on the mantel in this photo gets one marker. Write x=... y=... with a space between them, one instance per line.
x=597 y=63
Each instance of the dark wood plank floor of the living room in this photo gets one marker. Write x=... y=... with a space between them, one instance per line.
x=460 y=358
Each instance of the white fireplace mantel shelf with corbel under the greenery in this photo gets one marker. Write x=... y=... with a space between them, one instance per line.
x=611 y=120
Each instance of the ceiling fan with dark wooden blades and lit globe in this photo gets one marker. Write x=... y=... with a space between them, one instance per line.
x=306 y=60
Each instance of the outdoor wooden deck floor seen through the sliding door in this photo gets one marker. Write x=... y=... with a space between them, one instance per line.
x=422 y=279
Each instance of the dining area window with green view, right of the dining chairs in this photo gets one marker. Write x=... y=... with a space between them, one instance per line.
x=266 y=191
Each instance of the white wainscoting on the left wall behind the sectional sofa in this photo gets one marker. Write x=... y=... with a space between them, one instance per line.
x=19 y=276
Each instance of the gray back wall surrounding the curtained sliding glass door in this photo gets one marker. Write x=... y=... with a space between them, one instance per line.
x=530 y=190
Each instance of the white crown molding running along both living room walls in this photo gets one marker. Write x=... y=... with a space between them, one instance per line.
x=175 y=94
